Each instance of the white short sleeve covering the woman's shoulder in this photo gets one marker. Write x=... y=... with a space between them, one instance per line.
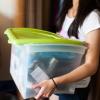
x=91 y=22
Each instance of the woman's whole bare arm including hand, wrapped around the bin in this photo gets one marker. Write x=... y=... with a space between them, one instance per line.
x=87 y=69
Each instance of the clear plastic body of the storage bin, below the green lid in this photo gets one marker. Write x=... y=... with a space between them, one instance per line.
x=33 y=63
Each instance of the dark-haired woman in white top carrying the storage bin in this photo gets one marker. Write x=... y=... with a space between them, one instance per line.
x=79 y=19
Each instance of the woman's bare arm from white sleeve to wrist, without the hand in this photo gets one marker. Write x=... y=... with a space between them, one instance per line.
x=91 y=61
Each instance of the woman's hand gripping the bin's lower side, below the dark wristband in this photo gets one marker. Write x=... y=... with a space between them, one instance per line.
x=47 y=87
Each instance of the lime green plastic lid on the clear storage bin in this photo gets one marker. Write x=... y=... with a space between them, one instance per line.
x=36 y=36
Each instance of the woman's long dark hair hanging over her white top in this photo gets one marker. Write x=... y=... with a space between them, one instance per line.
x=84 y=9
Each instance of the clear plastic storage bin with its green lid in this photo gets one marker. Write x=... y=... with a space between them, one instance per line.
x=37 y=55
